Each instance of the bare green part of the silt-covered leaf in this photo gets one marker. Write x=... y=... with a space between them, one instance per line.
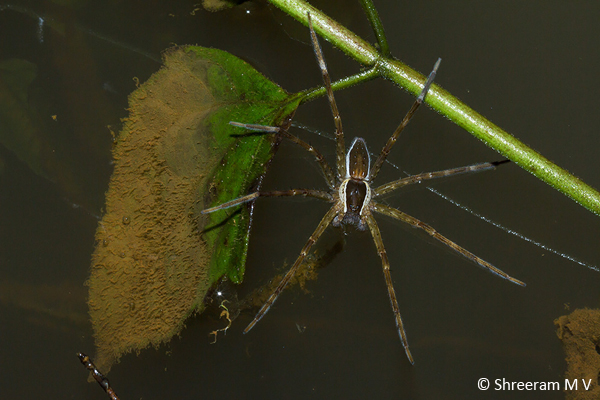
x=248 y=97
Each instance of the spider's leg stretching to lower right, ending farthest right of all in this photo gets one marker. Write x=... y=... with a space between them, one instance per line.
x=397 y=214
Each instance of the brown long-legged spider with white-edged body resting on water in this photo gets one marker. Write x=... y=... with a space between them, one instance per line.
x=353 y=197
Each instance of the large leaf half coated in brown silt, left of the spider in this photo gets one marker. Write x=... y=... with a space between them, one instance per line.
x=156 y=256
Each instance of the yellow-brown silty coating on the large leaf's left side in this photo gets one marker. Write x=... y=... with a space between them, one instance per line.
x=149 y=268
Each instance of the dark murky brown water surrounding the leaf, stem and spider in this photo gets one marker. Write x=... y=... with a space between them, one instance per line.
x=529 y=67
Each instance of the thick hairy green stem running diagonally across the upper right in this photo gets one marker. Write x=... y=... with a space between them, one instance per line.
x=446 y=104
